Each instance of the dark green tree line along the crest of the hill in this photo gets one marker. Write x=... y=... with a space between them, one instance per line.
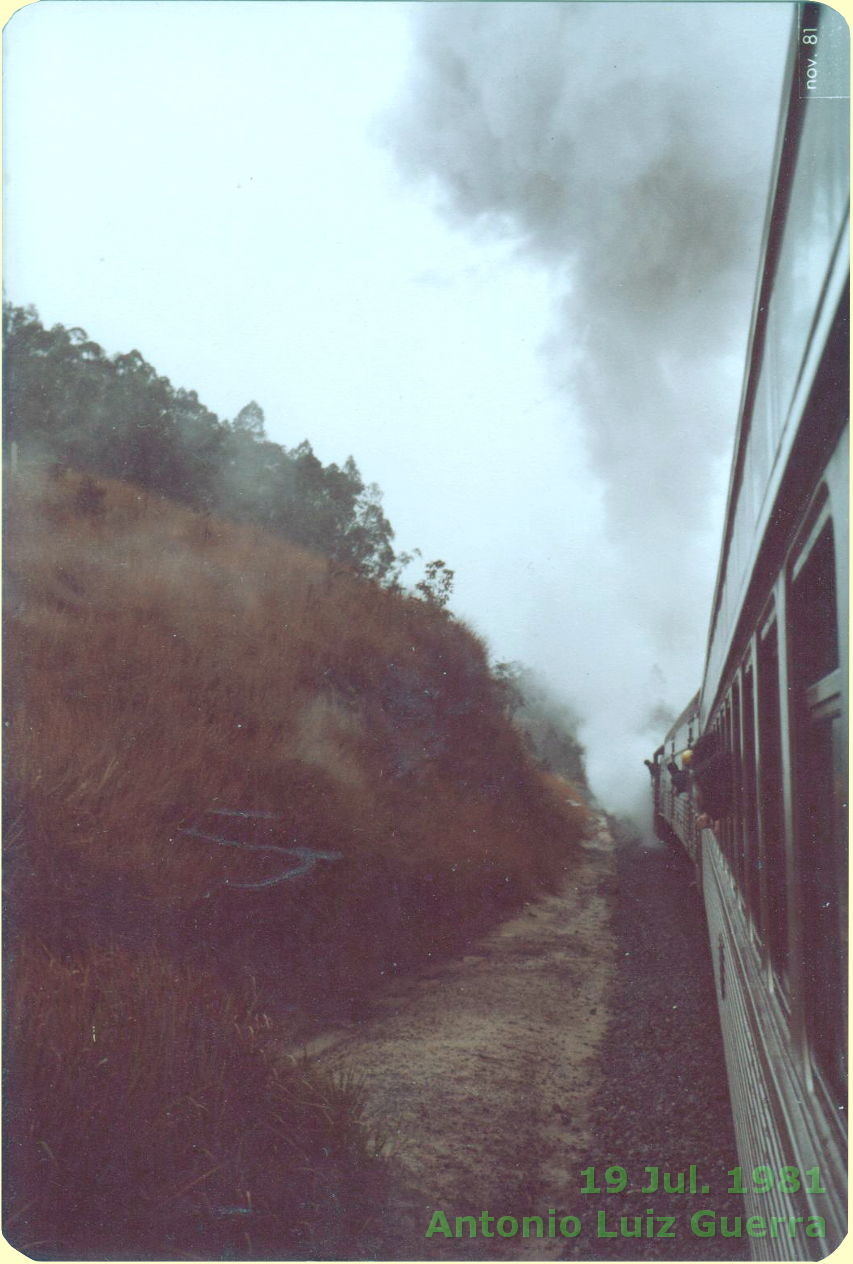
x=69 y=403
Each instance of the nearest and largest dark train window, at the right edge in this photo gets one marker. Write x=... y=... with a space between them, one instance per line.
x=820 y=802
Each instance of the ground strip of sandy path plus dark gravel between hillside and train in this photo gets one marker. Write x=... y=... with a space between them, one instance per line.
x=581 y=1033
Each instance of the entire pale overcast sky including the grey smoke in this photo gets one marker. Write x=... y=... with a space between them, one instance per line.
x=504 y=255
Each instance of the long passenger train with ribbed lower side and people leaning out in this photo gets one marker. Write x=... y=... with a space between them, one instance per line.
x=753 y=777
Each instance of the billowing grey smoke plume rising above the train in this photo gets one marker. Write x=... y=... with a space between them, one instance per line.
x=627 y=150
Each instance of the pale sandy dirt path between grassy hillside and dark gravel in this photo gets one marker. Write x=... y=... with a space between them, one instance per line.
x=482 y=1071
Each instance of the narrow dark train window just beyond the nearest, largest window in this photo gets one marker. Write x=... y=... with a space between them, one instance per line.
x=774 y=865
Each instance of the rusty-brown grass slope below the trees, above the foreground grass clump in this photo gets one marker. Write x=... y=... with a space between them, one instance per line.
x=162 y=667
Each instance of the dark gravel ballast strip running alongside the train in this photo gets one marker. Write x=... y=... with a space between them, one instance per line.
x=664 y=1103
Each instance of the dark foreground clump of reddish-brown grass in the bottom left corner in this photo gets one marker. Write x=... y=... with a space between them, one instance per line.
x=151 y=1117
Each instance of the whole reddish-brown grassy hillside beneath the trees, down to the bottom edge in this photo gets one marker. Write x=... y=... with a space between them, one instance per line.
x=239 y=782
